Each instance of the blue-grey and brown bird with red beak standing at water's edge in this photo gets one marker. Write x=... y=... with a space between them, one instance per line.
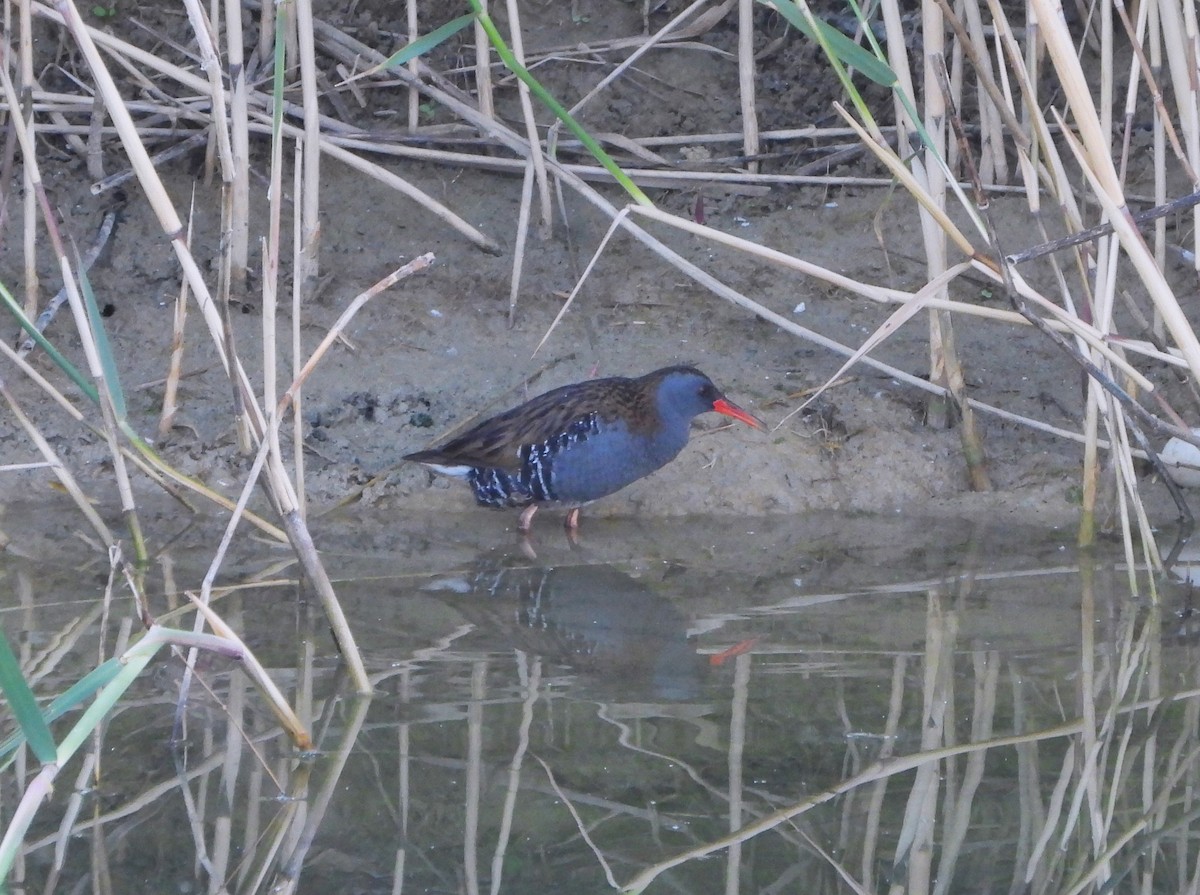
x=581 y=442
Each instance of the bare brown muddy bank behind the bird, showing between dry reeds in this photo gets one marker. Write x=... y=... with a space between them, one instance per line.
x=424 y=357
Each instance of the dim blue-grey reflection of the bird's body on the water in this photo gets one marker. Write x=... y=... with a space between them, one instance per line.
x=595 y=618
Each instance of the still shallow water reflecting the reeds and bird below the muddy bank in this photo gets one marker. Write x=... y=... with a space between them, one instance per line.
x=561 y=718
